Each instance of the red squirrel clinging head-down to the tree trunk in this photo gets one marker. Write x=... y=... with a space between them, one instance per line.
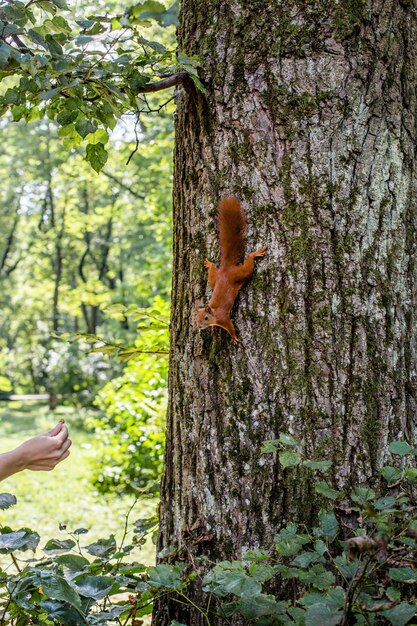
x=227 y=279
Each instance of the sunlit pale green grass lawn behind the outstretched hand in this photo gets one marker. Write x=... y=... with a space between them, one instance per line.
x=64 y=496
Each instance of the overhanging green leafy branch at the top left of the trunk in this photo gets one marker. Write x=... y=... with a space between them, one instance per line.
x=84 y=73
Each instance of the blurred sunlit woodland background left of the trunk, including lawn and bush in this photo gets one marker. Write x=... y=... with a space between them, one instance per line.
x=85 y=258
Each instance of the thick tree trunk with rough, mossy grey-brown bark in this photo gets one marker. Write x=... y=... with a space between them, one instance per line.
x=310 y=119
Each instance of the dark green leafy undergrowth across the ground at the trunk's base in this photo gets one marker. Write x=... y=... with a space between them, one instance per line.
x=356 y=565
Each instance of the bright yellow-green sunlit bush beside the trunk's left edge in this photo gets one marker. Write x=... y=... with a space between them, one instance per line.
x=134 y=404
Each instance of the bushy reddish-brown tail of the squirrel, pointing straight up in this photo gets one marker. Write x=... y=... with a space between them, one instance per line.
x=232 y=223
